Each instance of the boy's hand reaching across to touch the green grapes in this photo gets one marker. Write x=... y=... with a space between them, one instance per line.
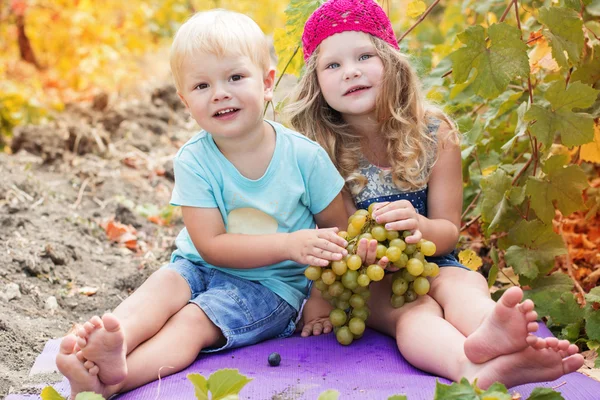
x=316 y=246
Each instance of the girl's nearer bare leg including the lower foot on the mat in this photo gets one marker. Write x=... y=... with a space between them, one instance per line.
x=431 y=343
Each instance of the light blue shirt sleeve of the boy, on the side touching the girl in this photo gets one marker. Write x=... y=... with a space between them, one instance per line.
x=324 y=182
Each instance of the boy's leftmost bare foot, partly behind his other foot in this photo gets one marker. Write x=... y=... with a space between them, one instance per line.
x=70 y=364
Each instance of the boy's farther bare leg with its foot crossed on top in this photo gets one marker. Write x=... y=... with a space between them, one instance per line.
x=106 y=342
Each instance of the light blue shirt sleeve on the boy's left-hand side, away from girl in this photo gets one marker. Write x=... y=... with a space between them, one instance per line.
x=191 y=187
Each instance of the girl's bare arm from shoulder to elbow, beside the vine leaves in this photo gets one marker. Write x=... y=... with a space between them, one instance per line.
x=444 y=198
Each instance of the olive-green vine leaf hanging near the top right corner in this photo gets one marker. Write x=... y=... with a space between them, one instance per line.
x=565 y=33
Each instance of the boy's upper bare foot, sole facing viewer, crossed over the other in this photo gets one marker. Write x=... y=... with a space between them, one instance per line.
x=102 y=341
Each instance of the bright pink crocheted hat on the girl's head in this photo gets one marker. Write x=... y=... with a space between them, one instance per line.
x=336 y=16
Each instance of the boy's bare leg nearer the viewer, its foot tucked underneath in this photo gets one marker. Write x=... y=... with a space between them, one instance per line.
x=172 y=349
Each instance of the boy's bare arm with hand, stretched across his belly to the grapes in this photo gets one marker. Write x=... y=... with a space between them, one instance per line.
x=230 y=250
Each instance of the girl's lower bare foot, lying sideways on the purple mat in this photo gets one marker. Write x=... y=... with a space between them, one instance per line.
x=529 y=365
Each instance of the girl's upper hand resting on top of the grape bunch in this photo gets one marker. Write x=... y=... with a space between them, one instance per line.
x=400 y=216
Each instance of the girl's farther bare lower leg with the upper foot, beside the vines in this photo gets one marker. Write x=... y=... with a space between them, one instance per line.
x=492 y=328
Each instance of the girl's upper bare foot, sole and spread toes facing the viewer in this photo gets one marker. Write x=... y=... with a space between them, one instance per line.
x=506 y=330
